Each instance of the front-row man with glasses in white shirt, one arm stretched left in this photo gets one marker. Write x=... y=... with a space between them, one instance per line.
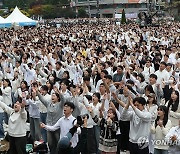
x=65 y=124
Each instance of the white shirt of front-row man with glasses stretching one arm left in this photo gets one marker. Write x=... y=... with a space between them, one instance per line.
x=65 y=124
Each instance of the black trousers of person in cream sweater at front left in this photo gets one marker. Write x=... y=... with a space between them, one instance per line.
x=17 y=145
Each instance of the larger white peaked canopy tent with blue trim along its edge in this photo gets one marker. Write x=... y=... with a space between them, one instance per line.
x=18 y=18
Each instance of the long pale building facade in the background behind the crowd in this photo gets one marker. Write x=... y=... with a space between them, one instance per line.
x=108 y=8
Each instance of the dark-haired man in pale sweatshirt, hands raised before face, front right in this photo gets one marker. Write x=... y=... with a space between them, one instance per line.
x=140 y=120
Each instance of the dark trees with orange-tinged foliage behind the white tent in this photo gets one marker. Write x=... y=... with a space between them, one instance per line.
x=46 y=8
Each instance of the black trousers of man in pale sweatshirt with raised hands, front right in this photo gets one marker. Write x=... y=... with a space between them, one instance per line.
x=135 y=149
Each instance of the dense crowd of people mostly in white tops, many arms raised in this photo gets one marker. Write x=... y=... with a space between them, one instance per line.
x=91 y=88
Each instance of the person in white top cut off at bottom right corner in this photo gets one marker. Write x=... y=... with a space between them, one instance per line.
x=173 y=138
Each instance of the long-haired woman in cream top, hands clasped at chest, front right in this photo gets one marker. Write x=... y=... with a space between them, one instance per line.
x=160 y=129
